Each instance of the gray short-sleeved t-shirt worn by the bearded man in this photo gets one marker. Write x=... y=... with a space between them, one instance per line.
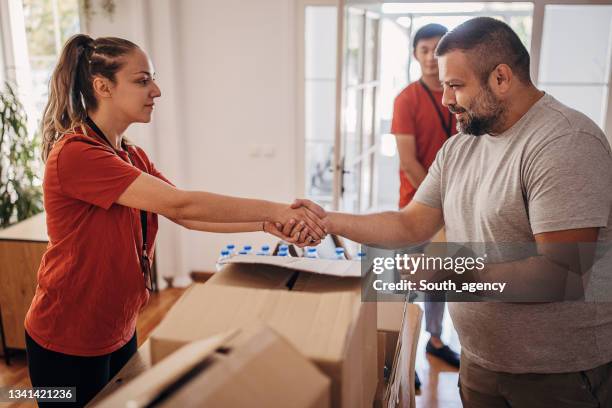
x=551 y=171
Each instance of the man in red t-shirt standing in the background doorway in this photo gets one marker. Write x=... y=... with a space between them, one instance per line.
x=421 y=125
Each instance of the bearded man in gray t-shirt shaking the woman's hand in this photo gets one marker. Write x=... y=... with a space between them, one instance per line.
x=524 y=169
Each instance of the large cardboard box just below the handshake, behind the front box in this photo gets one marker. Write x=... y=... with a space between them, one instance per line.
x=314 y=304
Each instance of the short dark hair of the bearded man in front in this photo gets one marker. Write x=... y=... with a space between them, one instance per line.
x=489 y=42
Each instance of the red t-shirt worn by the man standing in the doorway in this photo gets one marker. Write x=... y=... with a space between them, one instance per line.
x=415 y=114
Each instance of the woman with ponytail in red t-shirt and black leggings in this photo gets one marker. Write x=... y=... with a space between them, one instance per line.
x=102 y=196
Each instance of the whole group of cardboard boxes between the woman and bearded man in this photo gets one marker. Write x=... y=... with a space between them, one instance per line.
x=299 y=336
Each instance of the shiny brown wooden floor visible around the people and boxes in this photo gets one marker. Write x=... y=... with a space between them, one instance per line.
x=439 y=387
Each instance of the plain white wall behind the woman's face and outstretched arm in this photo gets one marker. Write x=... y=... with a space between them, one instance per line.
x=226 y=70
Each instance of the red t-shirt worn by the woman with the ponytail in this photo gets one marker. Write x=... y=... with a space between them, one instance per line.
x=90 y=283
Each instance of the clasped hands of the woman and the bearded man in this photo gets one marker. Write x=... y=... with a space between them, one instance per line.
x=303 y=223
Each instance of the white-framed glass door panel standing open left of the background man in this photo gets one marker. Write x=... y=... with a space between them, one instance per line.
x=356 y=139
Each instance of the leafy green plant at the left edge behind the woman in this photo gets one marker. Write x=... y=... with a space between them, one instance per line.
x=20 y=184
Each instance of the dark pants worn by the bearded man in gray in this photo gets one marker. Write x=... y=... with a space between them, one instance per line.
x=482 y=388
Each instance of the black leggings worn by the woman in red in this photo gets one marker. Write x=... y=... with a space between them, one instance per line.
x=88 y=374
